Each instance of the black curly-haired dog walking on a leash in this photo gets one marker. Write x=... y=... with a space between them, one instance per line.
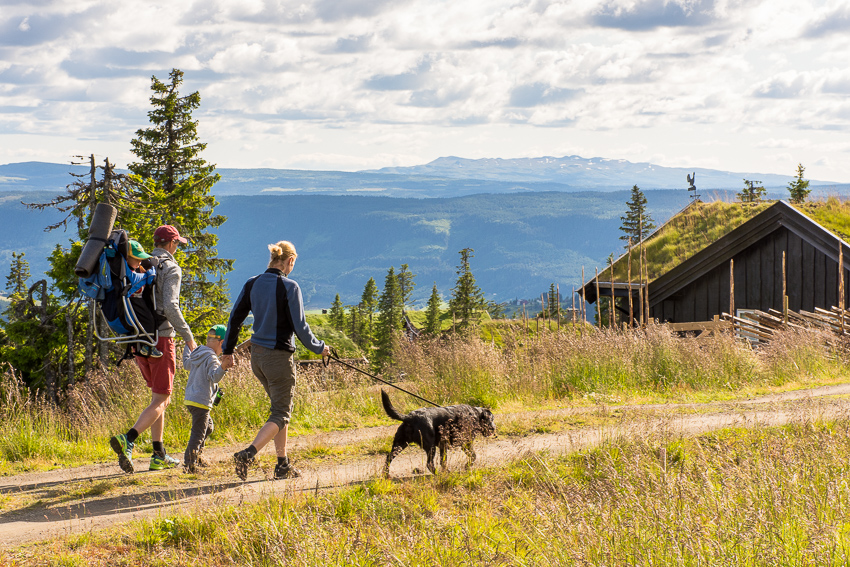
x=443 y=427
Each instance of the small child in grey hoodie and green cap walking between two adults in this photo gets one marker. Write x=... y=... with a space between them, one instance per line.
x=205 y=372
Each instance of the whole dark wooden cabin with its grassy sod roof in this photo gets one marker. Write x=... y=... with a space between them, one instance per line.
x=697 y=285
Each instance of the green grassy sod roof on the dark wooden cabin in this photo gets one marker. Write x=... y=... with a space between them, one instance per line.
x=701 y=224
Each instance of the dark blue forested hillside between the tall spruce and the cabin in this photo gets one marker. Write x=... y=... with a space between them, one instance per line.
x=522 y=242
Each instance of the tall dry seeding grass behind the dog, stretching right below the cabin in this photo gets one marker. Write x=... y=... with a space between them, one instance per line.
x=612 y=364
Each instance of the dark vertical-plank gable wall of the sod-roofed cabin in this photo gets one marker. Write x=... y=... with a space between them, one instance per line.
x=811 y=280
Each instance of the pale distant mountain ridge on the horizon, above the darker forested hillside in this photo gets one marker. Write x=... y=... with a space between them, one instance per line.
x=442 y=178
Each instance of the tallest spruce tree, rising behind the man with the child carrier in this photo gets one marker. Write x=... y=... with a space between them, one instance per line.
x=171 y=174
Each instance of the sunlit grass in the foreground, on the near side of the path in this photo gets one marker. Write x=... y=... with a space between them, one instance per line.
x=747 y=497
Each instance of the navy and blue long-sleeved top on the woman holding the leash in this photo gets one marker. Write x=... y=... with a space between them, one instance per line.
x=278 y=309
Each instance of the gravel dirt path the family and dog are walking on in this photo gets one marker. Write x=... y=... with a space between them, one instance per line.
x=44 y=505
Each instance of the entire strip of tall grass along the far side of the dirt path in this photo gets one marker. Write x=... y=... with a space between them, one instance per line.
x=508 y=370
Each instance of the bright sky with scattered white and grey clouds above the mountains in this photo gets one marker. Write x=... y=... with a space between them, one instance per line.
x=362 y=84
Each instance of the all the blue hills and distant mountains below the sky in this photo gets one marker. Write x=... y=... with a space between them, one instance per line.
x=532 y=222
